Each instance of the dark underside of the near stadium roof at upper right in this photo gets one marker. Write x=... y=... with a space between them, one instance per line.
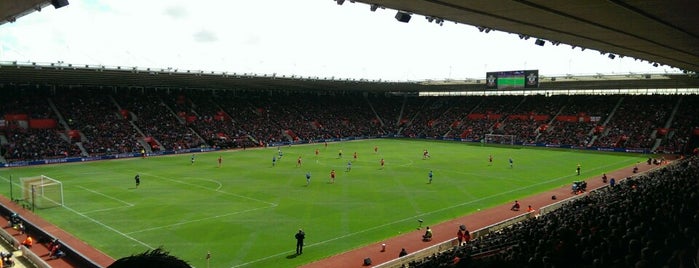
x=663 y=32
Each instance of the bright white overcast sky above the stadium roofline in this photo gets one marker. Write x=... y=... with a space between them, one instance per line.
x=308 y=38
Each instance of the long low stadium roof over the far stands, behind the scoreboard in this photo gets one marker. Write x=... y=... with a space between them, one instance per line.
x=31 y=74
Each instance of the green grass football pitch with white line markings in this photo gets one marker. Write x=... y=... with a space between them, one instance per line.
x=246 y=212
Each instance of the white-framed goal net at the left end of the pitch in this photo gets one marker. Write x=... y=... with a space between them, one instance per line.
x=42 y=191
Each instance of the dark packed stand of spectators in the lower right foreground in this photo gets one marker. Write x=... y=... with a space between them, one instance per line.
x=647 y=221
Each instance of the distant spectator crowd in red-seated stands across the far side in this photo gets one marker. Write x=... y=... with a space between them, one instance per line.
x=95 y=121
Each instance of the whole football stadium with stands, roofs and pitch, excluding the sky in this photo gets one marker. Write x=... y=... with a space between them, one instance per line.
x=114 y=166
